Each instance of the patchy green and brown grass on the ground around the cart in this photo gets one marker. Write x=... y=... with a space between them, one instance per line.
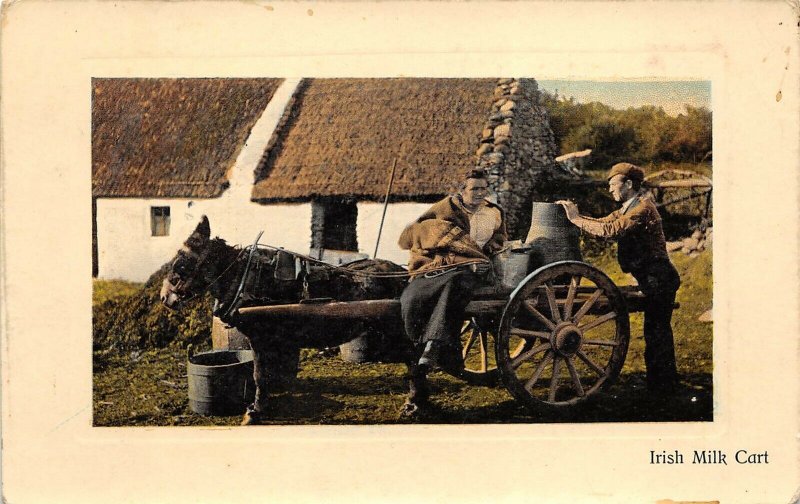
x=149 y=386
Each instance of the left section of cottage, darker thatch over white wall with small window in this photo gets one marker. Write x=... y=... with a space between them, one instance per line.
x=165 y=151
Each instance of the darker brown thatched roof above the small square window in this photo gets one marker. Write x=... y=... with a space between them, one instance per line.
x=171 y=137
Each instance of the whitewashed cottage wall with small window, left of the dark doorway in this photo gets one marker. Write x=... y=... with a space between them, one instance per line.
x=126 y=250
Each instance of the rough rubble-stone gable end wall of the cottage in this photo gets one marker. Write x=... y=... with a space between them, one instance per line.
x=517 y=149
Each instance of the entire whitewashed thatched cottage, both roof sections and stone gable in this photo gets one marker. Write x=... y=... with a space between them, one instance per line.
x=319 y=165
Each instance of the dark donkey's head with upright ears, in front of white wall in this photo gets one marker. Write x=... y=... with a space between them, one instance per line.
x=187 y=274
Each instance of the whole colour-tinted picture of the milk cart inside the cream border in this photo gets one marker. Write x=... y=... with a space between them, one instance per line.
x=307 y=251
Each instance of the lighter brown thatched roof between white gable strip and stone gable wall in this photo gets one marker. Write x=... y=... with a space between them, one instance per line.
x=342 y=135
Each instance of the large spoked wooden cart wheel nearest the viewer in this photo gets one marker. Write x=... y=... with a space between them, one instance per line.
x=564 y=335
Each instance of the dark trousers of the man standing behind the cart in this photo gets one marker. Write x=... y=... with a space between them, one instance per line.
x=659 y=283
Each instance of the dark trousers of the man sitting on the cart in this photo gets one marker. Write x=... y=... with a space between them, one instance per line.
x=433 y=307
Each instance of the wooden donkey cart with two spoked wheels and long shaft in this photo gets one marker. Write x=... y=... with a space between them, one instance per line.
x=560 y=336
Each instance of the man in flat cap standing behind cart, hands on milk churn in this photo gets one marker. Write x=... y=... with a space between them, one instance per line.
x=641 y=251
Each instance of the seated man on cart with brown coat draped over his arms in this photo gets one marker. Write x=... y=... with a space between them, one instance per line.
x=450 y=246
